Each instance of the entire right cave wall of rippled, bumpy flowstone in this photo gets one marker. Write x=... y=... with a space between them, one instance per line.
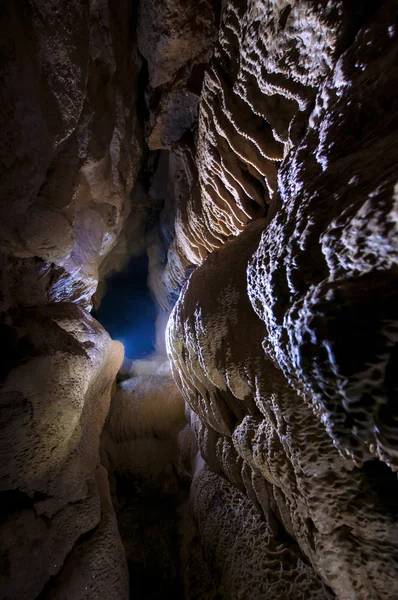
x=284 y=341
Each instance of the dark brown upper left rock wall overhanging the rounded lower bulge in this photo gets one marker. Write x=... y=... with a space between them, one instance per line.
x=70 y=143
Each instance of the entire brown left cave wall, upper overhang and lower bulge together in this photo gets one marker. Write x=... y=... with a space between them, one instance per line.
x=70 y=150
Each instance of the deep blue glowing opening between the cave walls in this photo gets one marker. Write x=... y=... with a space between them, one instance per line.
x=127 y=310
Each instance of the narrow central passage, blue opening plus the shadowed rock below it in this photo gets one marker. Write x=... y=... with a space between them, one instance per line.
x=140 y=453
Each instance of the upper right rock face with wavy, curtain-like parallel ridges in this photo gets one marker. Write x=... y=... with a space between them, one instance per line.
x=258 y=90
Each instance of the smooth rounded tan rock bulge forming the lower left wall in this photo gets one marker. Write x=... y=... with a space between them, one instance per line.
x=54 y=399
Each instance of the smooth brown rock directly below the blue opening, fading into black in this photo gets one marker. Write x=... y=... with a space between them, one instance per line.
x=140 y=450
